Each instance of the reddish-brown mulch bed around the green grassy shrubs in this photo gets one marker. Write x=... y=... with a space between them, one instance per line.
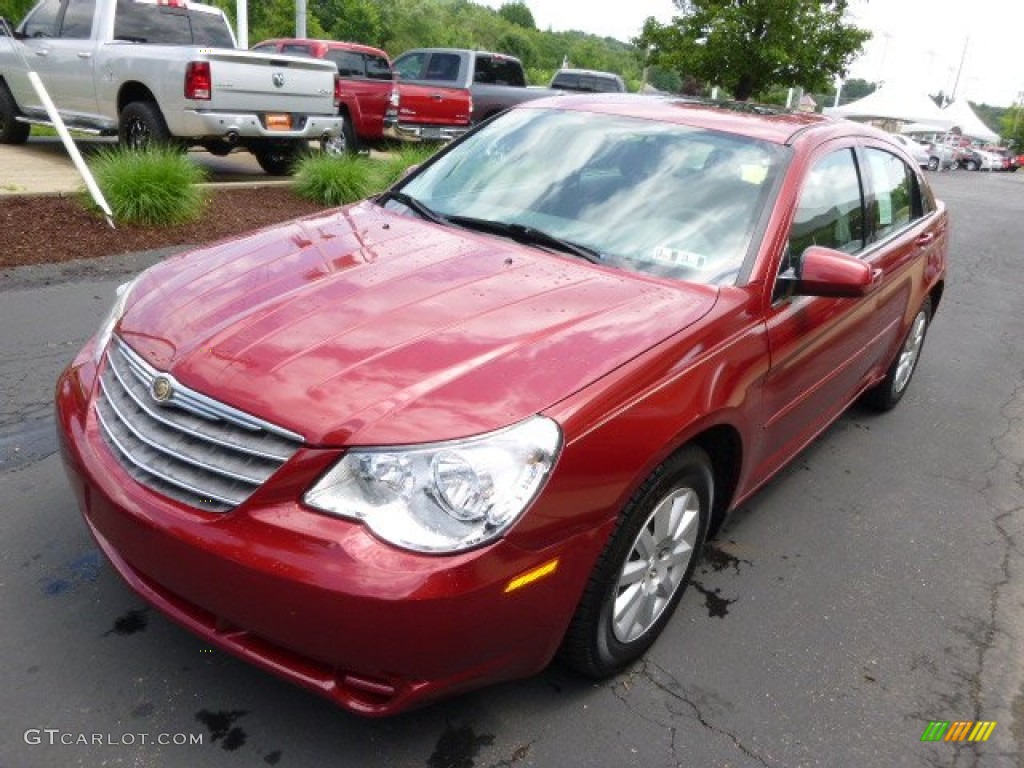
x=45 y=230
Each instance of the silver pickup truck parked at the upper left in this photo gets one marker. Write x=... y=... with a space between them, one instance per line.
x=163 y=71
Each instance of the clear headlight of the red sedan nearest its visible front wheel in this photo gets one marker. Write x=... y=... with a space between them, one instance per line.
x=443 y=497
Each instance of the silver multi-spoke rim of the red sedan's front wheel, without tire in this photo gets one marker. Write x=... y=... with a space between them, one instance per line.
x=659 y=561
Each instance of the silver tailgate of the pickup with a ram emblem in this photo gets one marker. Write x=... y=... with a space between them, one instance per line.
x=243 y=80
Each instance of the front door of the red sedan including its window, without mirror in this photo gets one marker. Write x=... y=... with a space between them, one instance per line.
x=821 y=349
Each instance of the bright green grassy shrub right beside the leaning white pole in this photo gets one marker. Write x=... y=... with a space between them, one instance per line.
x=153 y=187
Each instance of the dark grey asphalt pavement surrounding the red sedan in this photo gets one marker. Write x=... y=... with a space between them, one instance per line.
x=876 y=585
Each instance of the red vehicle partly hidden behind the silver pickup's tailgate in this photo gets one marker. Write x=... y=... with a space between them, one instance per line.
x=365 y=90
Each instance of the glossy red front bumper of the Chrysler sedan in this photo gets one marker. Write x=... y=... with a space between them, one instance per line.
x=317 y=600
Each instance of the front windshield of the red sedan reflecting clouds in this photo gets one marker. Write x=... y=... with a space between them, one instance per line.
x=658 y=198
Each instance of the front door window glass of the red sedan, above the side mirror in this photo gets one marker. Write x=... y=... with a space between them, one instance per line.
x=831 y=209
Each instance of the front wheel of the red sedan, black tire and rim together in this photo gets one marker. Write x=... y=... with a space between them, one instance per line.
x=646 y=579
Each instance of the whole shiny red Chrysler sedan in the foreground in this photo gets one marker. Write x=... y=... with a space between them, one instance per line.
x=432 y=441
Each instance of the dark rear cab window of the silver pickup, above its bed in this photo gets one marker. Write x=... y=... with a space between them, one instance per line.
x=146 y=23
